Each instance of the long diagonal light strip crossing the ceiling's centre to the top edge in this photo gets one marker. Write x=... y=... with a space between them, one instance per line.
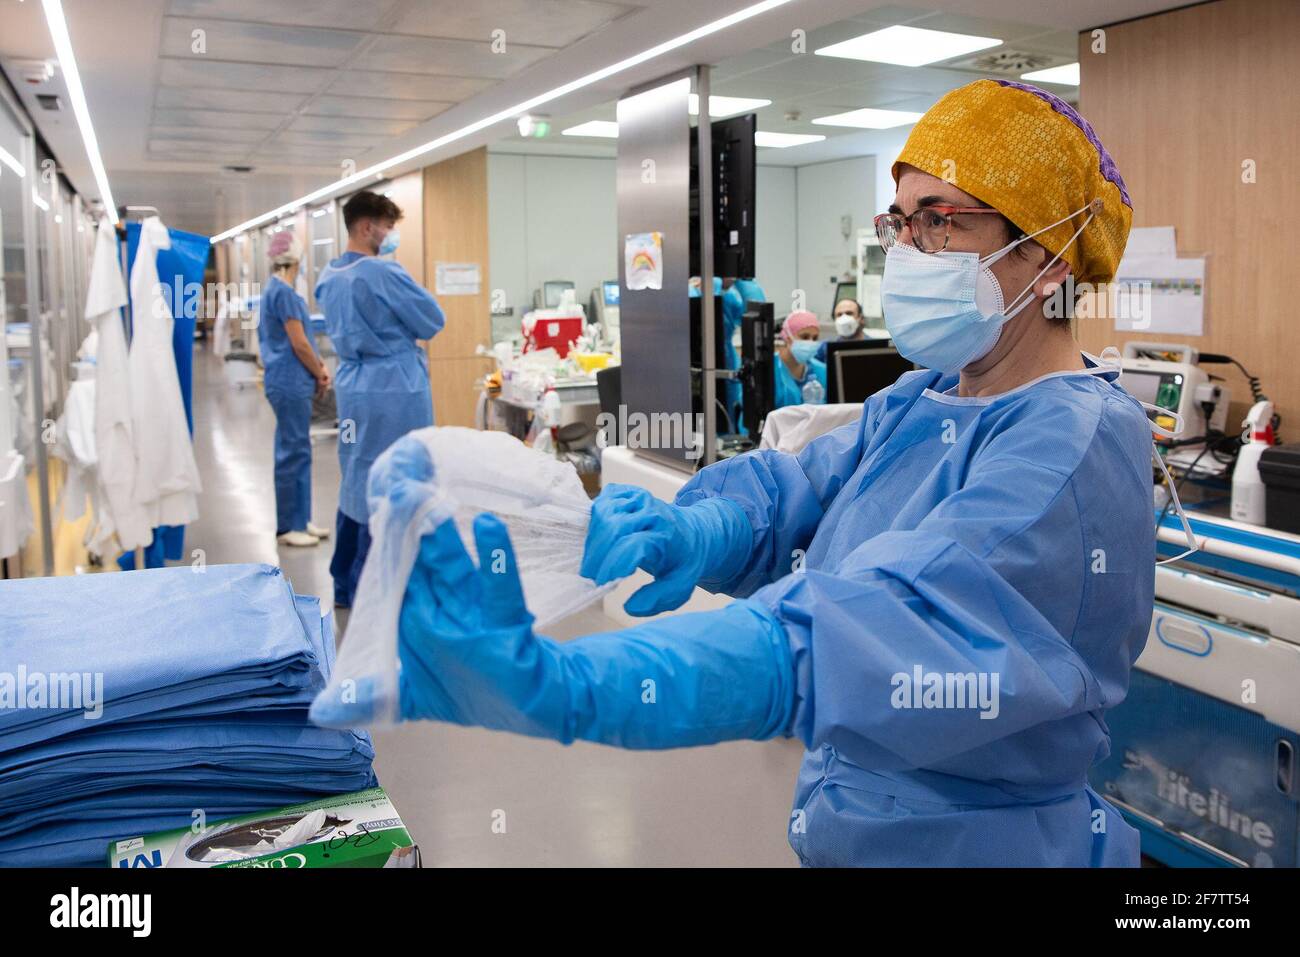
x=372 y=172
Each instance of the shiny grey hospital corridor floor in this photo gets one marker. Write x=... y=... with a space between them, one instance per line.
x=475 y=798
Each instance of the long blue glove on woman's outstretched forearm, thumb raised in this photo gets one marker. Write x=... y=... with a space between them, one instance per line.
x=470 y=657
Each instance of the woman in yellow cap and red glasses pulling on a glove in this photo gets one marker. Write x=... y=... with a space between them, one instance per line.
x=941 y=601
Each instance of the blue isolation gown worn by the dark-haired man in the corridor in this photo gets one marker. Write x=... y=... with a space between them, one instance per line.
x=375 y=311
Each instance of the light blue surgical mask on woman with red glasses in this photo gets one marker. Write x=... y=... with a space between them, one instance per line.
x=946 y=310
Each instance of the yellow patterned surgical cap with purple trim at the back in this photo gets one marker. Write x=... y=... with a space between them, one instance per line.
x=1034 y=159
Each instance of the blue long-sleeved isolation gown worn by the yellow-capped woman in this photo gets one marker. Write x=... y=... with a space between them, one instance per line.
x=1003 y=538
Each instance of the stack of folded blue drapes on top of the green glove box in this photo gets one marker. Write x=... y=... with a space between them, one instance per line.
x=137 y=703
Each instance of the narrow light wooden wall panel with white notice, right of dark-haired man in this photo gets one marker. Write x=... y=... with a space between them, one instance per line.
x=456 y=231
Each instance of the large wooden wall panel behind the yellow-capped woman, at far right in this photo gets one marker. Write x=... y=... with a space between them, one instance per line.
x=1182 y=101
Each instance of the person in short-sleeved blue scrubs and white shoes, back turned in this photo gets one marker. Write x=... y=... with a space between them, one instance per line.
x=293 y=375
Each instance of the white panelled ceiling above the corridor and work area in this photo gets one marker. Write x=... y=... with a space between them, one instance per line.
x=297 y=88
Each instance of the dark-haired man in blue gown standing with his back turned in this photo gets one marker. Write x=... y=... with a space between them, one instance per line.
x=375 y=314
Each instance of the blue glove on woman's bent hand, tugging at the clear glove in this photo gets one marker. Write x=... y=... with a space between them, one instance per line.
x=678 y=545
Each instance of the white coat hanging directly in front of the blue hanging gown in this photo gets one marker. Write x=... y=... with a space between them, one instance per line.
x=167 y=478
